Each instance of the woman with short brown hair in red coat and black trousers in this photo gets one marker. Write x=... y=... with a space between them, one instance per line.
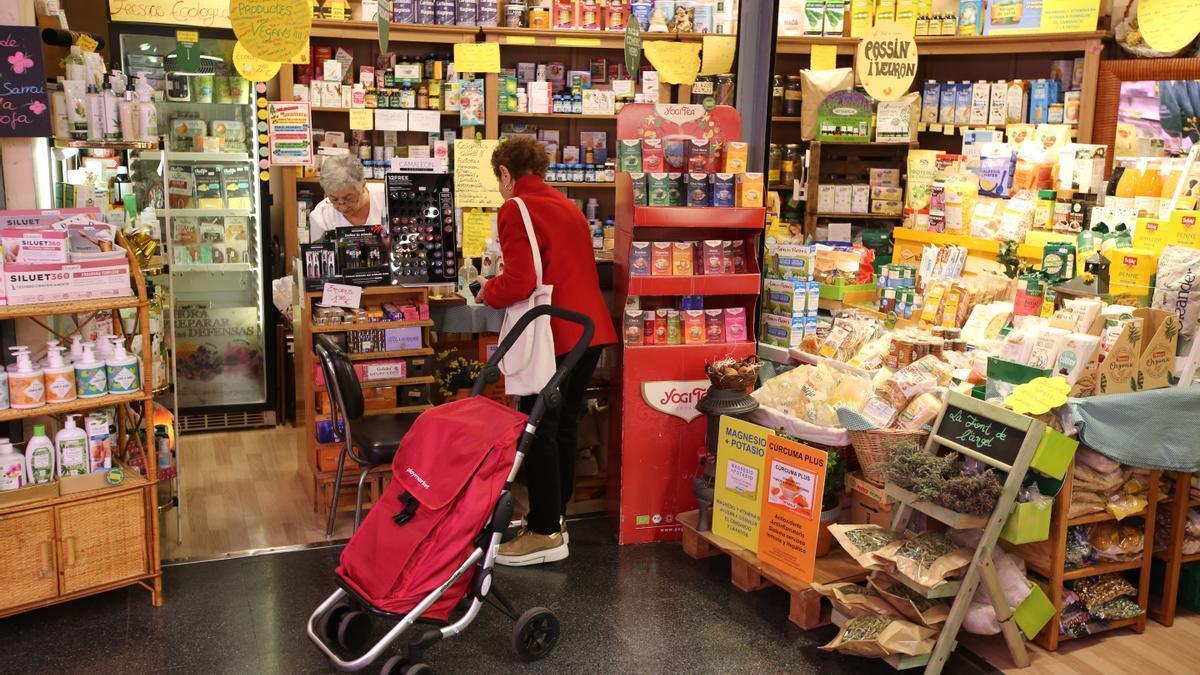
x=569 y=266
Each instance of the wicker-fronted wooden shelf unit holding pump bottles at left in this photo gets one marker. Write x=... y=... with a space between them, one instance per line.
x=79 y=537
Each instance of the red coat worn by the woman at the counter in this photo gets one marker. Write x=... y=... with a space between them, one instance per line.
x=568 y=262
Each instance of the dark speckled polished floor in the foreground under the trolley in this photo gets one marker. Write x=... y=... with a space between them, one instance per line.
x=625 y=610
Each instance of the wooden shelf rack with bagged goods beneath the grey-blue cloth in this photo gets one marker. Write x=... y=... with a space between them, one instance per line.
x=1048 y=560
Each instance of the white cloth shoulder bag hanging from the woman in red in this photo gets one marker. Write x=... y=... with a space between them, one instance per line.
x=530 y=365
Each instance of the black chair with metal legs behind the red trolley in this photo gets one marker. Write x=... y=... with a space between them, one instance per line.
x=374 y=440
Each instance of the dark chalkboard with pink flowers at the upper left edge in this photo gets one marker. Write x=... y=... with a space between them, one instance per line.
x=25 y=104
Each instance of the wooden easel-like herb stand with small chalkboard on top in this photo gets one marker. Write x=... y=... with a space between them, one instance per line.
x=1007 y=443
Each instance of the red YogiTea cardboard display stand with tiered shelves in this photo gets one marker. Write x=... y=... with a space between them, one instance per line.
x=658 y=438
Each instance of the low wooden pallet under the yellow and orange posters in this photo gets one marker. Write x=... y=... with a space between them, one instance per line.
x=748 y=574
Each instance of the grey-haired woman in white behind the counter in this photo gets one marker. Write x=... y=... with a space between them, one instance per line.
x=349 y=199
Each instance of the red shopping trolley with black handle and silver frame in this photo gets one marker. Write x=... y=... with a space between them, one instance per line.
x=424 y=557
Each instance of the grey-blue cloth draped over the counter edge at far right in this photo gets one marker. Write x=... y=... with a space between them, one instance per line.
x=1156 y=429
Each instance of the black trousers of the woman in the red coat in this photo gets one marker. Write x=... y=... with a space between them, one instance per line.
x=550 y=463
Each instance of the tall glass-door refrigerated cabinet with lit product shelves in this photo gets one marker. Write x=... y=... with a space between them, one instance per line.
x=206 y=190
